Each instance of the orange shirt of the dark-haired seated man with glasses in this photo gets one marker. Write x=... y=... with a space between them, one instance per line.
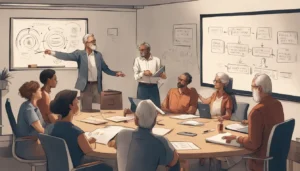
x=181 y=102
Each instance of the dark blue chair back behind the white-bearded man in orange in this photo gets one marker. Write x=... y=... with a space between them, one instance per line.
x=279 y=144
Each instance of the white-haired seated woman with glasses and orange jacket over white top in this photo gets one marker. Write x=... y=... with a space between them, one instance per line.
x=220 y=102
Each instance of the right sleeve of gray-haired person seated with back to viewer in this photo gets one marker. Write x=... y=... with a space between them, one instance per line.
x=167 y=154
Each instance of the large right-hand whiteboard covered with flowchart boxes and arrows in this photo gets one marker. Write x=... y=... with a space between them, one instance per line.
x=244 y=44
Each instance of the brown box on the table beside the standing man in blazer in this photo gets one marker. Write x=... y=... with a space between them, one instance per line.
x=111 y=100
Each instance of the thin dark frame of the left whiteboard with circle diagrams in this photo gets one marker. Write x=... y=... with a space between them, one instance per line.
x=11 y=68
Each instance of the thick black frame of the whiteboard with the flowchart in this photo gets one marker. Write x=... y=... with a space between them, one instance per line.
x=235 y=91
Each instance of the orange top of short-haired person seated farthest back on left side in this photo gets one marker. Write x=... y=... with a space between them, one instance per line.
x=44 y=106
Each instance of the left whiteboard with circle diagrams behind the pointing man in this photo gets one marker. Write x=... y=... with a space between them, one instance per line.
x=31 y=36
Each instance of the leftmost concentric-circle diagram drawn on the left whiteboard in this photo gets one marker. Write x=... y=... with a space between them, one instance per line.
x=27 y=41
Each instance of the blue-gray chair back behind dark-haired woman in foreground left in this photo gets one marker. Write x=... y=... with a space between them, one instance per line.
x=57 y=153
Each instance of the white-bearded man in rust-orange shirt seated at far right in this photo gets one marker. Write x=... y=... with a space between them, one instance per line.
x=267 y=113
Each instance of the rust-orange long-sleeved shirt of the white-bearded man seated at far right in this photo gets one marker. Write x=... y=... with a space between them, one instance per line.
x=261 y=120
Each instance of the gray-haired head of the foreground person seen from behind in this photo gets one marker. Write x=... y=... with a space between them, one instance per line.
x=145 y=114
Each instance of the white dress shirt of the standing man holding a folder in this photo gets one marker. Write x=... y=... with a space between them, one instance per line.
x=141 y=64
